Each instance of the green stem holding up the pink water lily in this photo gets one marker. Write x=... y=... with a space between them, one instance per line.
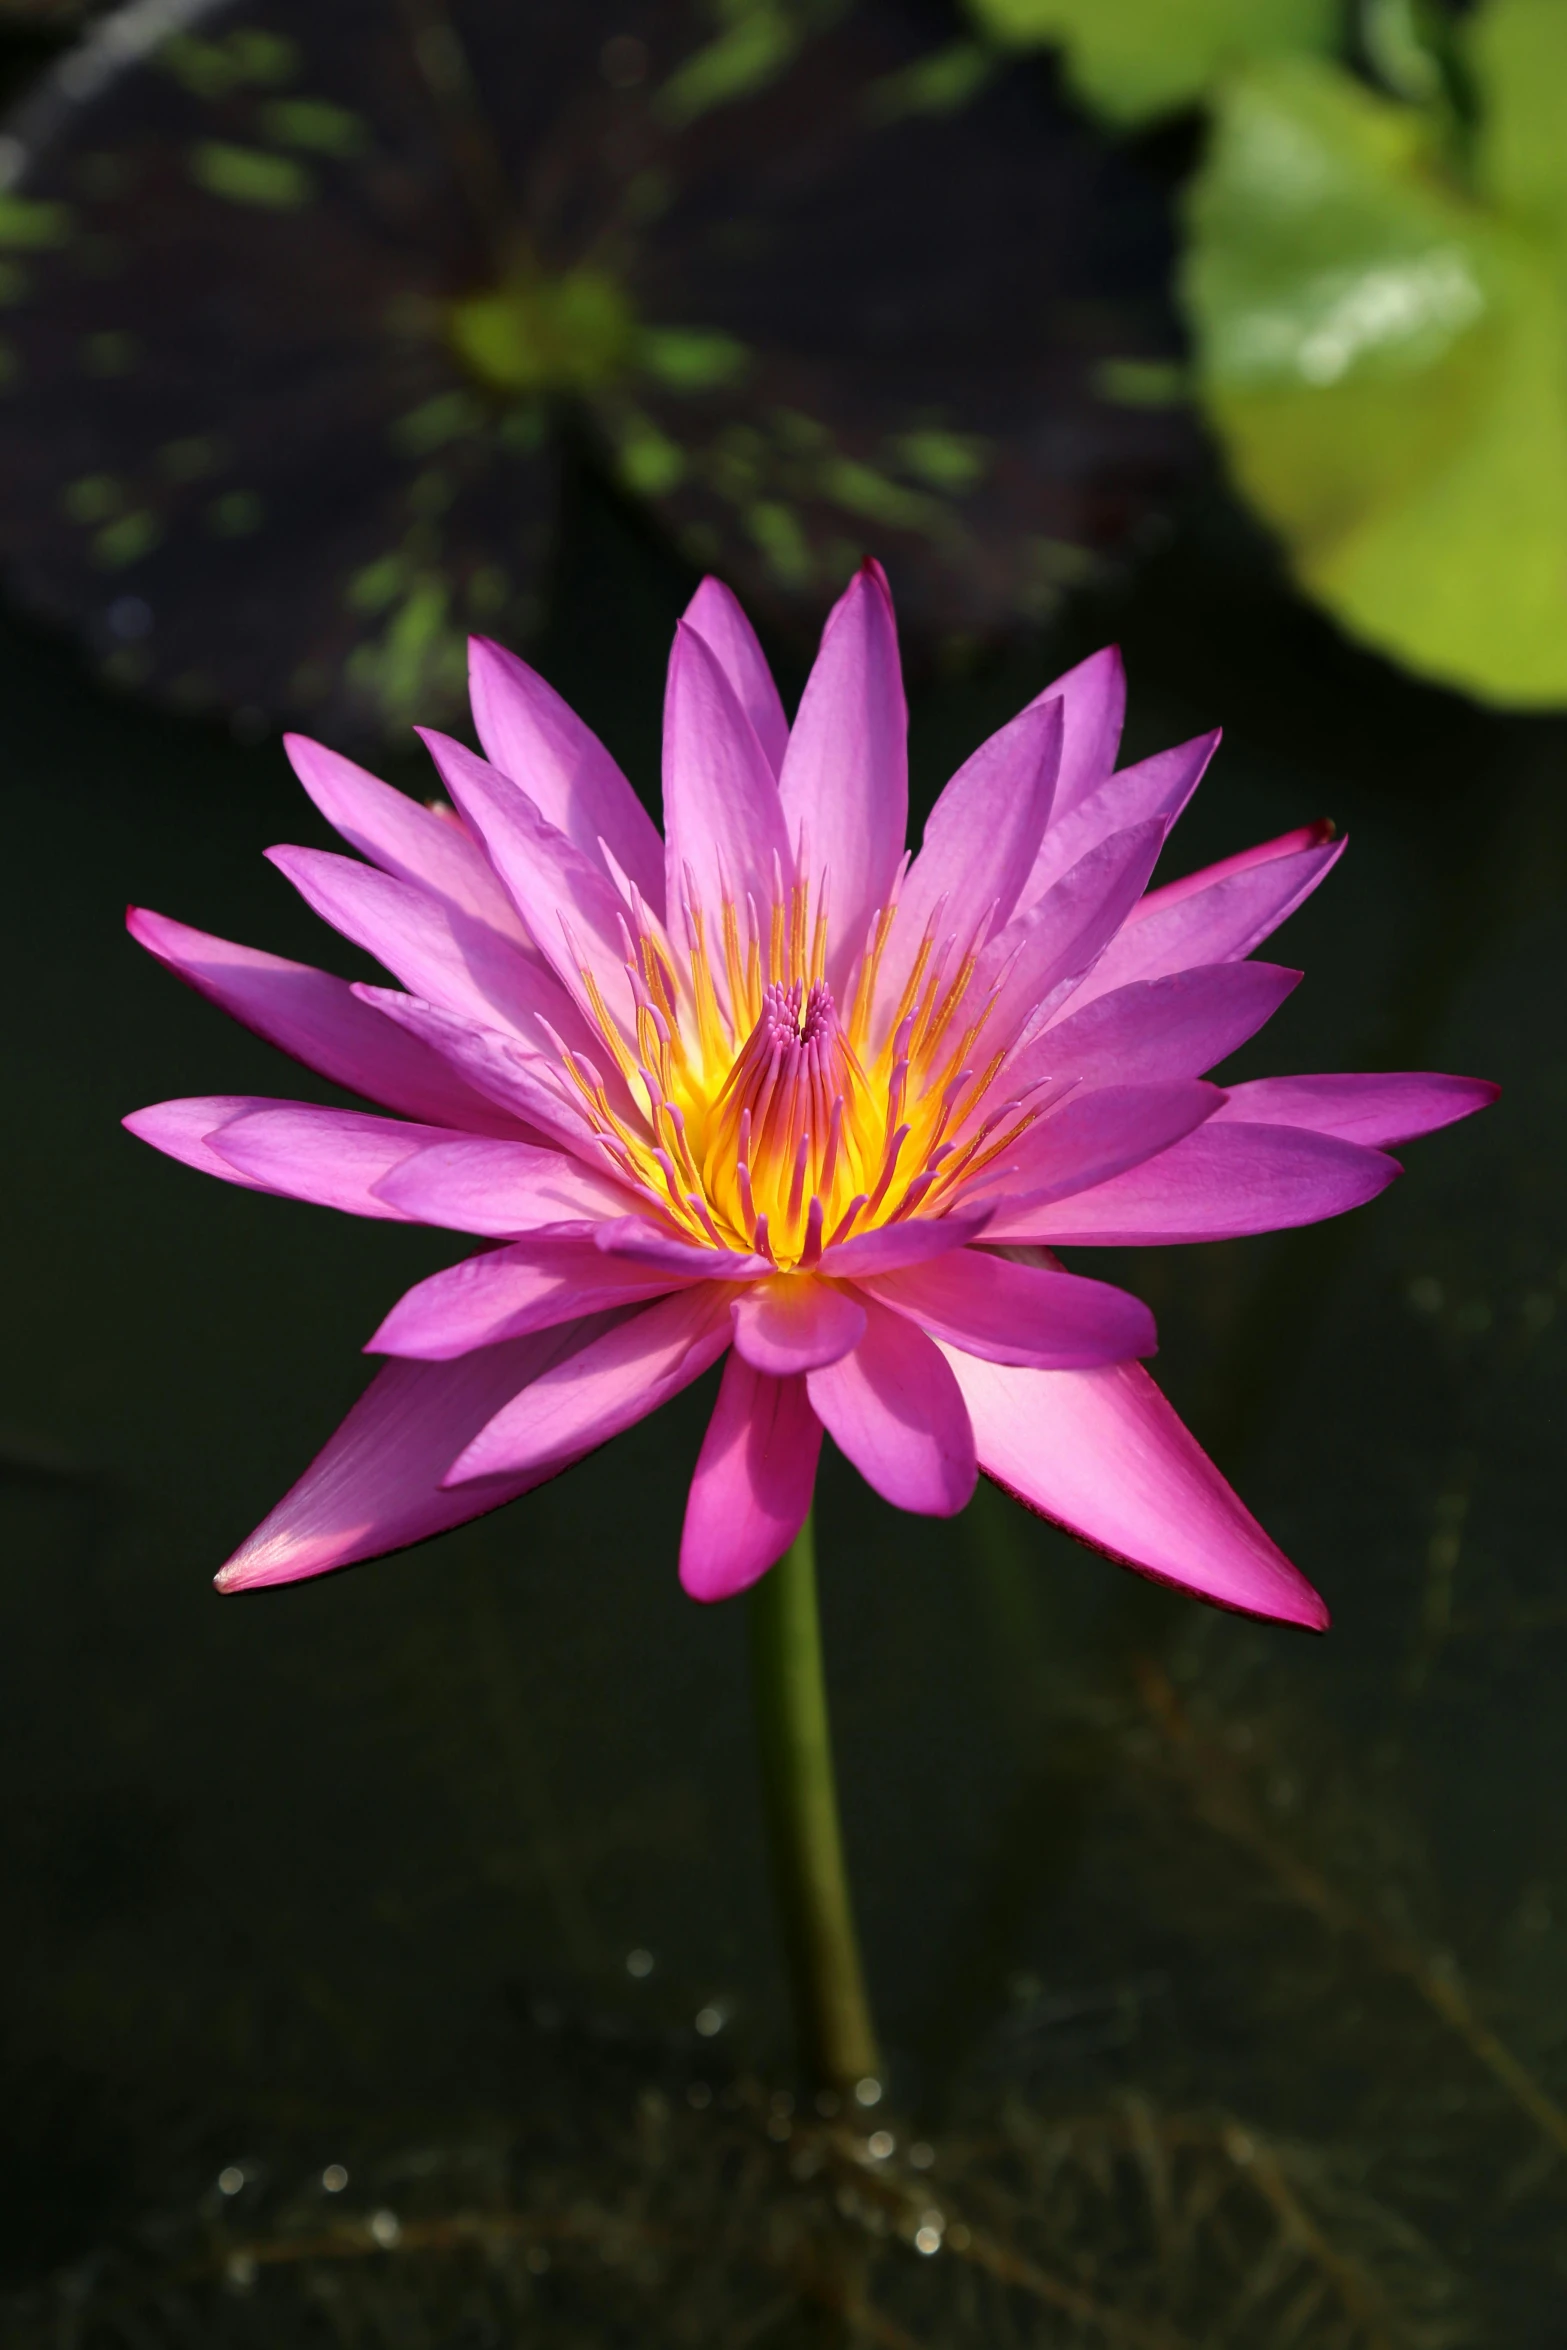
x=802 y=1808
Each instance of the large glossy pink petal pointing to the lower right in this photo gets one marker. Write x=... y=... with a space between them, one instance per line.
x=1103 y=1456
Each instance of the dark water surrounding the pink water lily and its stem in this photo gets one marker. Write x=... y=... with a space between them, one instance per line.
x=351 y=1872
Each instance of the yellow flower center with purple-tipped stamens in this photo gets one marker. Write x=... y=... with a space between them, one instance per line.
x=755 y=1117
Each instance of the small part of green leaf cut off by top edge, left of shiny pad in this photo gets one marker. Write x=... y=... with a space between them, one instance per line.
x=1131 y=60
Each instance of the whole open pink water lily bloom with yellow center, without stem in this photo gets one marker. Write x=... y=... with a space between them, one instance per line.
x=774 y=1092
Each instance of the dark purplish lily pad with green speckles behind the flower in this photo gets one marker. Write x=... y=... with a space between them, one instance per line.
x=302 y=304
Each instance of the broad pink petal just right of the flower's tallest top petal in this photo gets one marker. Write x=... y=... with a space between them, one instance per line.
x=981 y=842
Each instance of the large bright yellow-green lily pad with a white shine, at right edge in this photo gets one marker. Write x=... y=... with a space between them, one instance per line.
x=1387 y=365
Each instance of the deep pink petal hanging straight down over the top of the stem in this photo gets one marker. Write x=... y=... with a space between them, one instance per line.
x=753 y=1482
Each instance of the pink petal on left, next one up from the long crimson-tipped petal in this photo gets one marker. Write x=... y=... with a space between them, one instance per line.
x=433 y=951
